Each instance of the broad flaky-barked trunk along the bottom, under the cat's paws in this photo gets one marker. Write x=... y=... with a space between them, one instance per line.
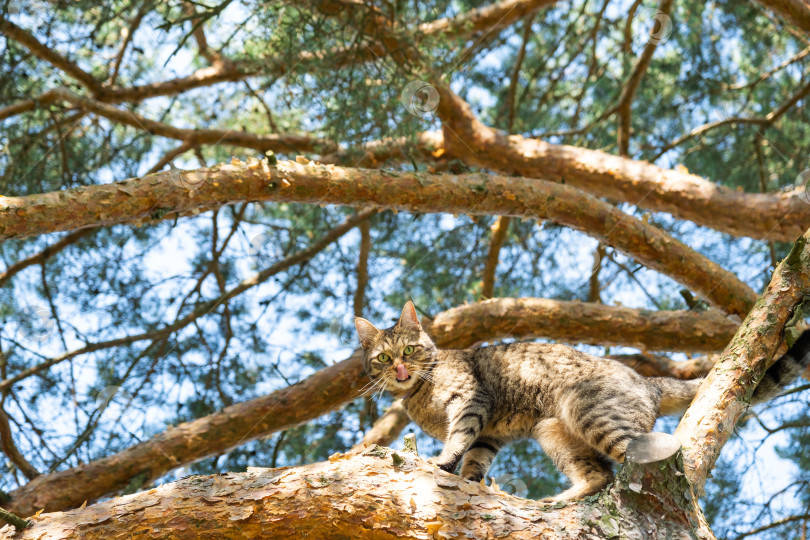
x=368 y=496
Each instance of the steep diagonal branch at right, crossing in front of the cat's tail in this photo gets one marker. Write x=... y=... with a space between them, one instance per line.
x=726 y=392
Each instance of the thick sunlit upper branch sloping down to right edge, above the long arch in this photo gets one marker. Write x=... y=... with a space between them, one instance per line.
x=773 y=216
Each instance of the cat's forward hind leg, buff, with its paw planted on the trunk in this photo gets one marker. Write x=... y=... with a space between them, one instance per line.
x=587 y=469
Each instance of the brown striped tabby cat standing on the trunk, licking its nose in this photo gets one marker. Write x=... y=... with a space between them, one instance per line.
x=582 y=409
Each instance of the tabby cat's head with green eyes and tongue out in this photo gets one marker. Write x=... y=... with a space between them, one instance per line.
x=397 y=357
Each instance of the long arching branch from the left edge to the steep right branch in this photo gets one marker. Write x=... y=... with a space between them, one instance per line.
x=167 y=194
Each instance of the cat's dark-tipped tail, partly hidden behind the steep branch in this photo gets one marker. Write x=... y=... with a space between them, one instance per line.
x=677 y=394
